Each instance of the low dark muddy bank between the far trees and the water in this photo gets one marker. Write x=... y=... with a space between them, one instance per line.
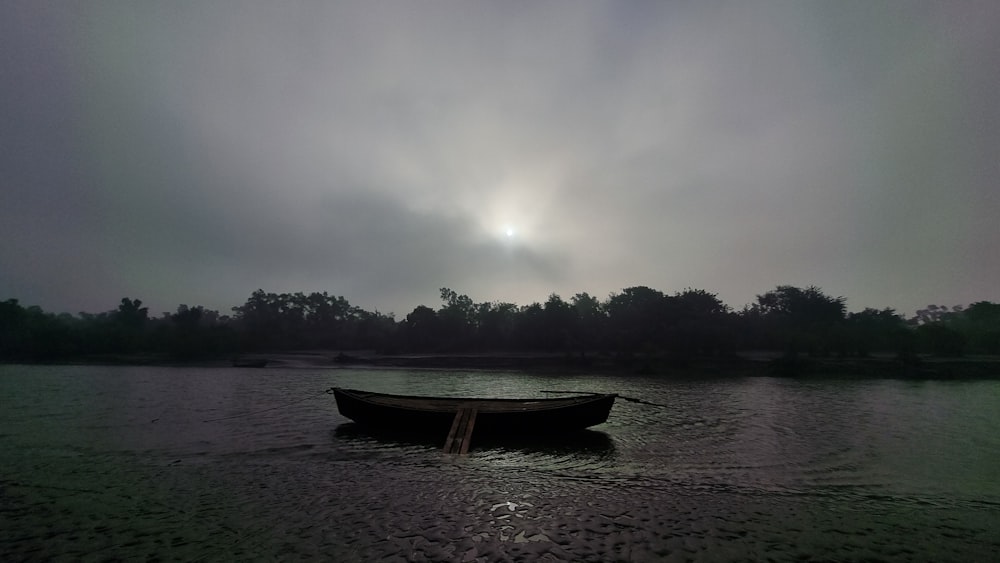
x=744 y=364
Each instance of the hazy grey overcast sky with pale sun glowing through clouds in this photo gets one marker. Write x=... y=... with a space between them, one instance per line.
x=192 y=152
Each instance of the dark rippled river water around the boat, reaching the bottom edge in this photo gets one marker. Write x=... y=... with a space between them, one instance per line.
x=165 y=464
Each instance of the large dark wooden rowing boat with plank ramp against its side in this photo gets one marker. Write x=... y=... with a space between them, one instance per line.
x=493 y=416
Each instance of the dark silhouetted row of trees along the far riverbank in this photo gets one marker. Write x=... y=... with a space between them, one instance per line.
x=635 y=321
